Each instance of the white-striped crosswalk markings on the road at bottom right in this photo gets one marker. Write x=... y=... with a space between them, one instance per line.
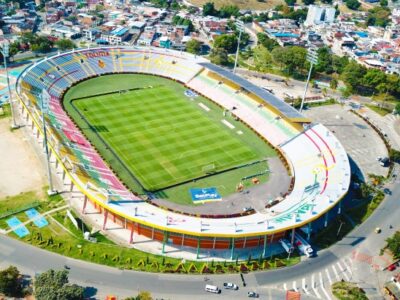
x=318 y=284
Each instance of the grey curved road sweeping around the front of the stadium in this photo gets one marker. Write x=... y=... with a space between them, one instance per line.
x=107 y=280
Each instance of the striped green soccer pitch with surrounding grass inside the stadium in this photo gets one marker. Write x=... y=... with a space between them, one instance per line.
x=156 y=139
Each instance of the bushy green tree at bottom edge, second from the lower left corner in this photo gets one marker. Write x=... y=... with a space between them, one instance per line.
x=53 y=285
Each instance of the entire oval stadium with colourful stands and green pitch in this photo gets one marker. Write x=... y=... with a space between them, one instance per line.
x=126 y=126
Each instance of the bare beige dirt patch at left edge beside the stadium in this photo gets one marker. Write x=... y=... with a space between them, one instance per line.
x=20 y=168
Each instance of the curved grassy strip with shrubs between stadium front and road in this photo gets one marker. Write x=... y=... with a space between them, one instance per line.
x=56 y=239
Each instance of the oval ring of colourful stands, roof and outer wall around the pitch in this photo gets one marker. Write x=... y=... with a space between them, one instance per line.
x=314 y=158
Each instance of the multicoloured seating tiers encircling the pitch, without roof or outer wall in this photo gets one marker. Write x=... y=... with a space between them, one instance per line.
x=316 y=158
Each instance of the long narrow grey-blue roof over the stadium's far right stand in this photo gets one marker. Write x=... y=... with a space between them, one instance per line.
x=283 y=107
